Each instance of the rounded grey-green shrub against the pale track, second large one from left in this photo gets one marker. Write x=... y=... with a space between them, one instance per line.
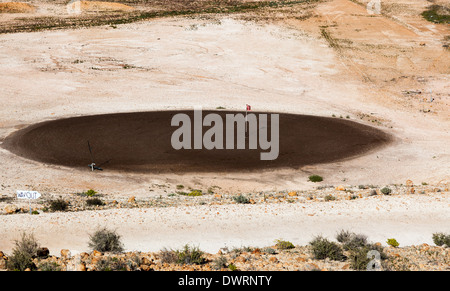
x=105 y=240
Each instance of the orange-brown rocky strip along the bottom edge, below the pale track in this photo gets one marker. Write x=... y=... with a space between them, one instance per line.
x=300 y=258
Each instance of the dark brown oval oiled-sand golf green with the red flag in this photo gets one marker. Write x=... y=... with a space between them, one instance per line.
x=141 y=142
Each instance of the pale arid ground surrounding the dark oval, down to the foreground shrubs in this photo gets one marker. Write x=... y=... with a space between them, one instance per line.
x=331 y=58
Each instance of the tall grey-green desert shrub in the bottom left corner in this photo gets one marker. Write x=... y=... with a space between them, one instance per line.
x=23 y=252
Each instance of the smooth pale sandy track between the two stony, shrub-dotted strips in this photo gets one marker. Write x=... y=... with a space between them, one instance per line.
x=409 y=219
